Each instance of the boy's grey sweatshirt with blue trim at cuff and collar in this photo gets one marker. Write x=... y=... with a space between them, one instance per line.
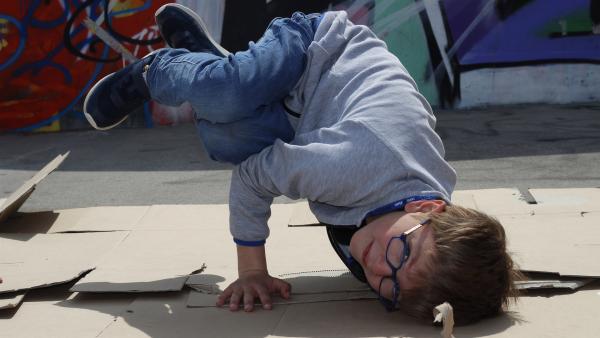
x=365 y=138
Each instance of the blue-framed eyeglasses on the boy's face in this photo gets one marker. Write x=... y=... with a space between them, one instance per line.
x=389 y=285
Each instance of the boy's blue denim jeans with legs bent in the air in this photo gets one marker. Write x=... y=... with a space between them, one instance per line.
x=238 y=100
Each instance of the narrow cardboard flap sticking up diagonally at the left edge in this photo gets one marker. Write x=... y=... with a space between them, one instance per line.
x=19 y=196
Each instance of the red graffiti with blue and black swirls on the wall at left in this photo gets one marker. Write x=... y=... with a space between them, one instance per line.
x=49 y=59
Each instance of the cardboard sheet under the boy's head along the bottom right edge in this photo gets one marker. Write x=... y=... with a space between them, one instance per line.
x=572 y=315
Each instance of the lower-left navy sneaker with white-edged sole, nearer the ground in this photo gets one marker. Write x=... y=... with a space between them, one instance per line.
x=117 y=95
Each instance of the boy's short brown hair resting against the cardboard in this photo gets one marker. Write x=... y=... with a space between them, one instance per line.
x=470 y=268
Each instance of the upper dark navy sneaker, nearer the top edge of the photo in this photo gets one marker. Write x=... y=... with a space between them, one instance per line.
x=182 y=28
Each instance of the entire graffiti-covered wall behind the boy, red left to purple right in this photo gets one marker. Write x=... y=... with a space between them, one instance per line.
x=461 y=52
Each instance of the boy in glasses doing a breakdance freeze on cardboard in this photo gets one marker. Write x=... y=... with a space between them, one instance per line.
x=319 y=109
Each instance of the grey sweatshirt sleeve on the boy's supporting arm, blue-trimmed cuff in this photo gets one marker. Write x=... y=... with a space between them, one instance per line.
x=321 y=166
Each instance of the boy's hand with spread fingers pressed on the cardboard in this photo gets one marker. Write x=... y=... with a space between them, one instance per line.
x=250 y=285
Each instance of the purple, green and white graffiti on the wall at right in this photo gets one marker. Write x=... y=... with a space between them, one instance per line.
x=441 y=41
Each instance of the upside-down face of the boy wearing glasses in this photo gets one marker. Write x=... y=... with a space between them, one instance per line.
x=368 y=245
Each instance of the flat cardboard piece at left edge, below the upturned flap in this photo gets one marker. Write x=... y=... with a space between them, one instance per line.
x=35 y=260
